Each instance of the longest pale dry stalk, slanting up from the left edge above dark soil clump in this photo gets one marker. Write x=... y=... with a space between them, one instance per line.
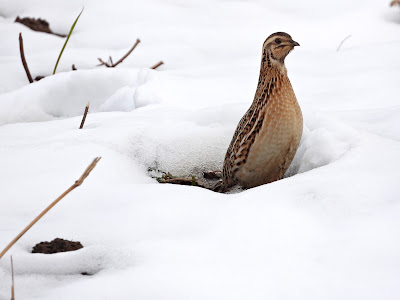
x=75 y=185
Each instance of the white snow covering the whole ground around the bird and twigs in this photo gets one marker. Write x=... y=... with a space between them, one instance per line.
x=329 y=230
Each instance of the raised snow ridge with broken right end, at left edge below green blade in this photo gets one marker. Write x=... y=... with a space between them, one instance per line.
x=66 y=95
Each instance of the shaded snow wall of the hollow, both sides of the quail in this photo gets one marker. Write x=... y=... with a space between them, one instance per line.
x=182 y=145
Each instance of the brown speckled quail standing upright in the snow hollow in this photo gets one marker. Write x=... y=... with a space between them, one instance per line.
x=268 y=135
